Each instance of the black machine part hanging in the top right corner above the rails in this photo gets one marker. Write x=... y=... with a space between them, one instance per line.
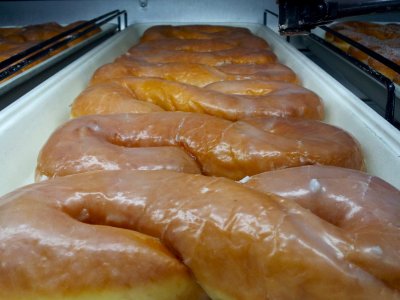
x=299 y=17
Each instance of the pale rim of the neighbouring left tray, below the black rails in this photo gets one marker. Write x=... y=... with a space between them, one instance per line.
x=11 y=83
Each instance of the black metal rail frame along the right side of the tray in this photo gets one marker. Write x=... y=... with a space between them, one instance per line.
x=390 y=87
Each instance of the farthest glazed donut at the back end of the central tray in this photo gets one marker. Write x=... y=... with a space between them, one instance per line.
x=198 y=32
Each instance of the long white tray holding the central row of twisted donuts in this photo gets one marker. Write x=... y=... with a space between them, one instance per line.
x=26 y=124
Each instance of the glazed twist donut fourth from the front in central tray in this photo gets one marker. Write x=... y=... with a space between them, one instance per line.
x=192 y=73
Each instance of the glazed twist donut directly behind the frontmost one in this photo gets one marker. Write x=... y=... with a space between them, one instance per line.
x=219 y=147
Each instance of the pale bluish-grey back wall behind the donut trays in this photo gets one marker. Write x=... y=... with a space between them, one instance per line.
x=32 y=12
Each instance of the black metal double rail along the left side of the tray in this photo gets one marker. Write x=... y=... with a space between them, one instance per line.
x=15 y=62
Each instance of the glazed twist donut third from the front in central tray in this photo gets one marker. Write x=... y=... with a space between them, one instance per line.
x=256 y=98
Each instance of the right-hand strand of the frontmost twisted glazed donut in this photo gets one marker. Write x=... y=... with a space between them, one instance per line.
x=366 y=207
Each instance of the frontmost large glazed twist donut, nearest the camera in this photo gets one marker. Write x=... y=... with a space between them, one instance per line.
x=239 y=243
